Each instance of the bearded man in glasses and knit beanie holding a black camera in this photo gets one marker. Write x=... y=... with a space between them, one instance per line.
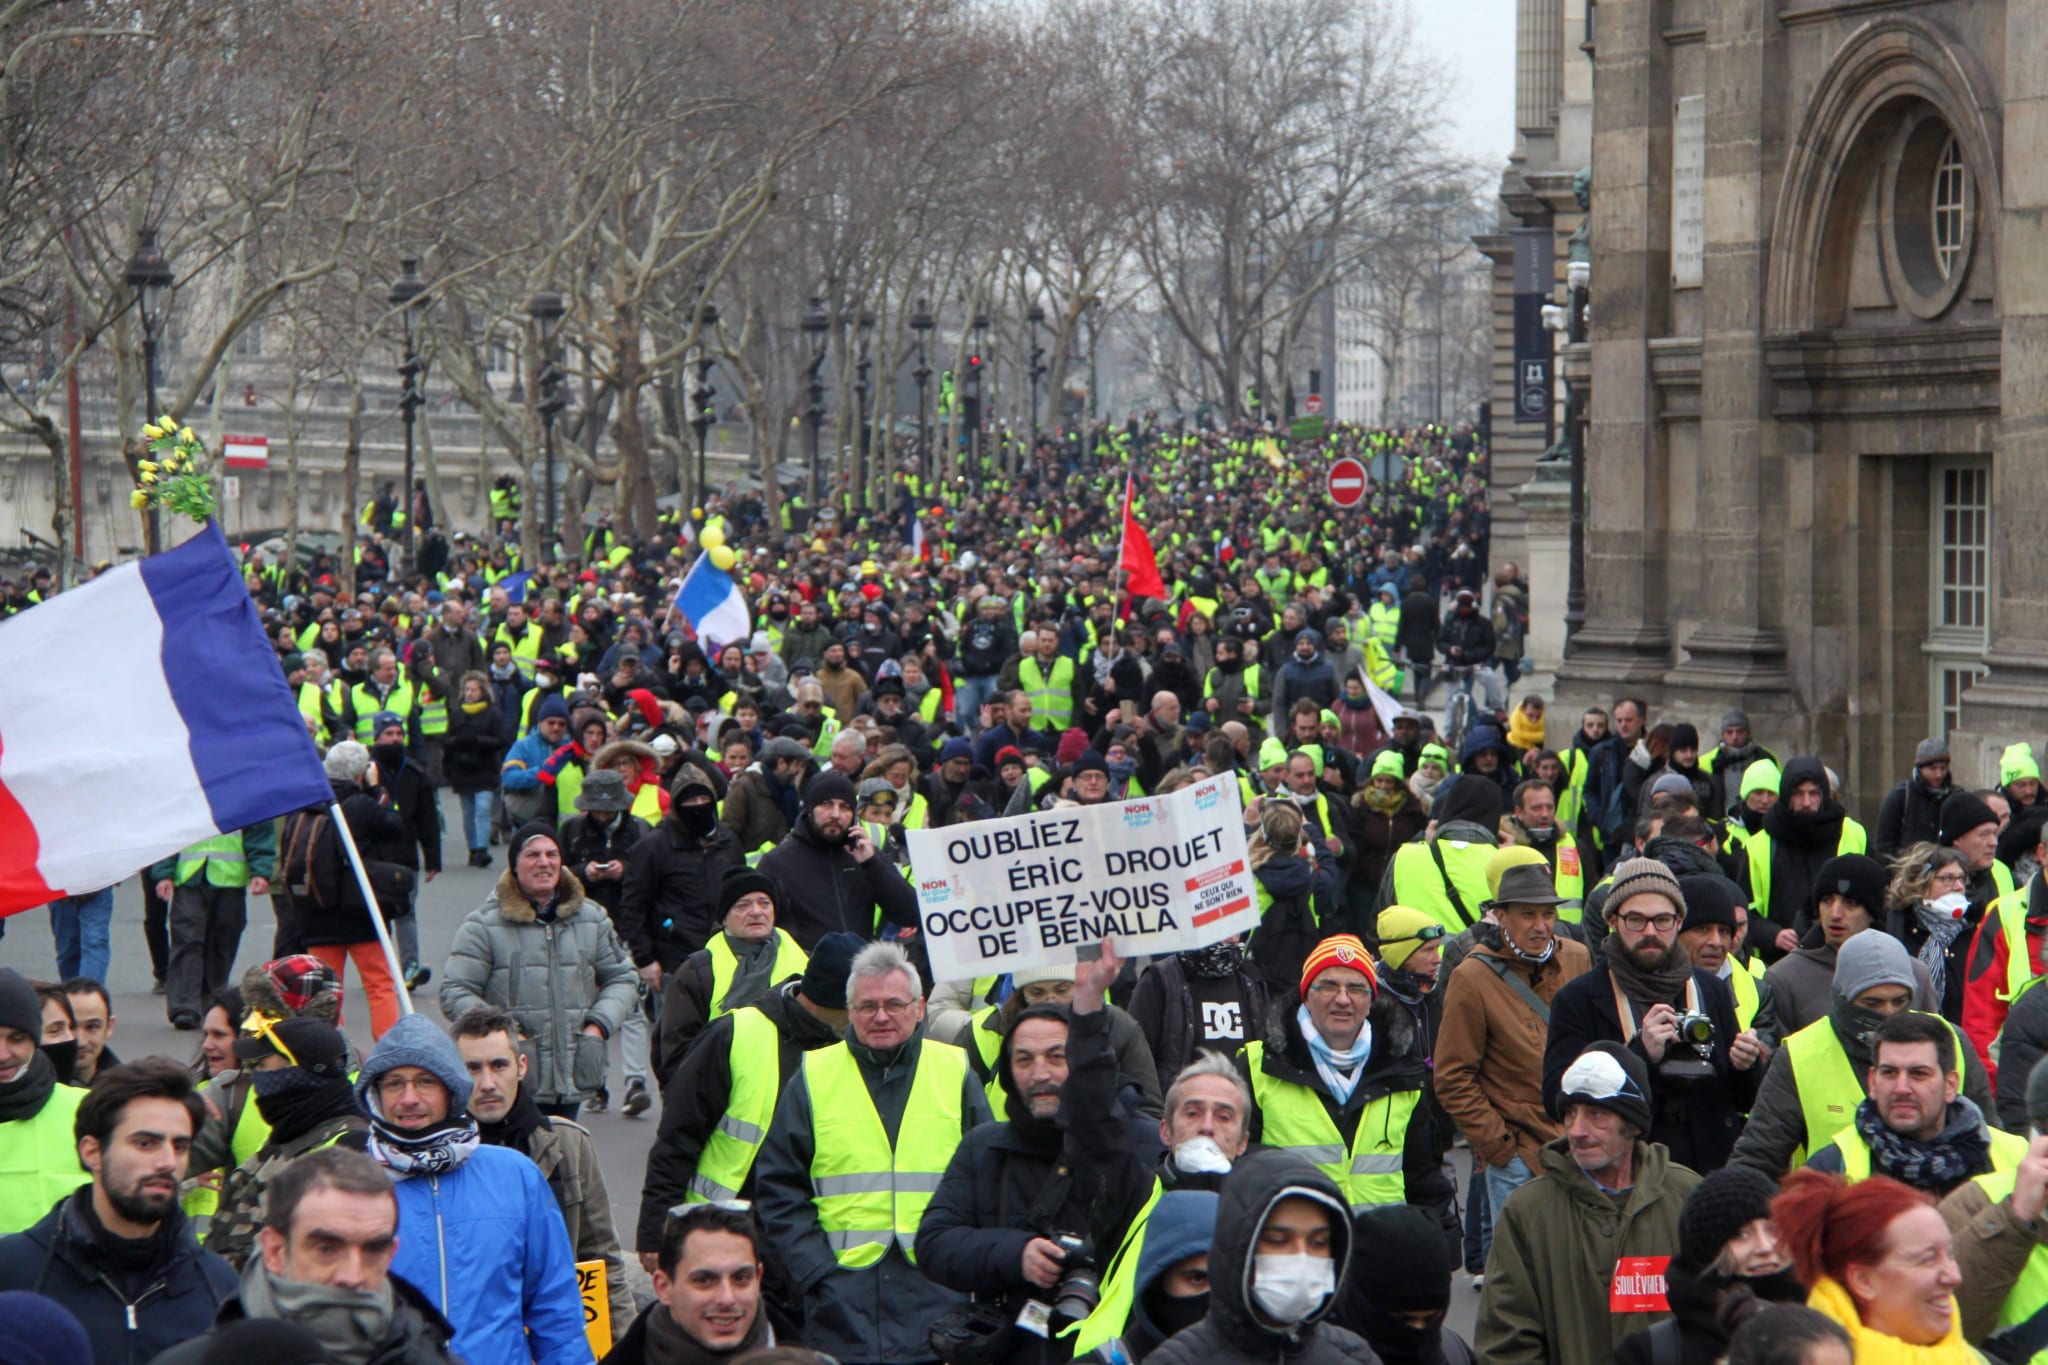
x=1680 y=1020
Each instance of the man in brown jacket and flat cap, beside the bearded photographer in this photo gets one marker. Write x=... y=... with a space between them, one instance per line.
x=1496 y=1020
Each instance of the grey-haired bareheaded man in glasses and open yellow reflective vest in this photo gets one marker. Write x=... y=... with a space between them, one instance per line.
x=857 y=1149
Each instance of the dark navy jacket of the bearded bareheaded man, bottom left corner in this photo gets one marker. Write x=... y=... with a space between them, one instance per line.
x=132 y=1315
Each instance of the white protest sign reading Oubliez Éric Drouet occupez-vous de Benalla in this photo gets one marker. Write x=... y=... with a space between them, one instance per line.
x=1156 y=875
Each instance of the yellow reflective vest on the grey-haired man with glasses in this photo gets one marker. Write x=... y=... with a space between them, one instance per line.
x=867 y=1192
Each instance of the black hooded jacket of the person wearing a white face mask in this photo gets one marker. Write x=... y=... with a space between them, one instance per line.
x=1234 y=1331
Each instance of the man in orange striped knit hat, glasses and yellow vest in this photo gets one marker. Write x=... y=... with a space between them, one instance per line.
x=1340 y=1084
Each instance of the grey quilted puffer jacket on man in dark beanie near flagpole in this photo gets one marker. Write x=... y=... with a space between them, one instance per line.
x=554 y=977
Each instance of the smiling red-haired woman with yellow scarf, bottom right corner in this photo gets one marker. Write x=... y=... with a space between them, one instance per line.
x=1877 y=1260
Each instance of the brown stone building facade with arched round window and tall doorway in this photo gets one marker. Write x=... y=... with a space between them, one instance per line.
x=1818 y=447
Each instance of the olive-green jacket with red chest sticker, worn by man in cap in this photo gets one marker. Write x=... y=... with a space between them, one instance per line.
x=1555 y=1249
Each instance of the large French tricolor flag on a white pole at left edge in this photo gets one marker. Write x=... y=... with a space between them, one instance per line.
x=138 y=715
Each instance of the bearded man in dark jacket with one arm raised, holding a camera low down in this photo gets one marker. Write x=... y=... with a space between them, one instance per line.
x=1031 y=1208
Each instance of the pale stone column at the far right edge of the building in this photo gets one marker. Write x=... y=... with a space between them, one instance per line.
x=2012 y=701
